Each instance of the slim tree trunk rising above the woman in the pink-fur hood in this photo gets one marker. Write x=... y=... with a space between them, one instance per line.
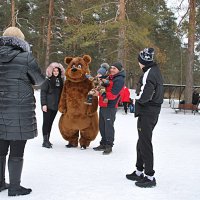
x=51 y=9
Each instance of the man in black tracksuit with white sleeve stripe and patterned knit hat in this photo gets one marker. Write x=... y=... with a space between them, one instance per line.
x=148 y=105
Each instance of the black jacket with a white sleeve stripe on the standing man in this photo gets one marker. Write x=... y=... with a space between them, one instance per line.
x=149 y=92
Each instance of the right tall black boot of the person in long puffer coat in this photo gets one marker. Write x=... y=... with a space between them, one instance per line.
x=15 y=165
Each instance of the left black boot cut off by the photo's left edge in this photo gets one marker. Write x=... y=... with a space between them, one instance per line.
x=3 y=184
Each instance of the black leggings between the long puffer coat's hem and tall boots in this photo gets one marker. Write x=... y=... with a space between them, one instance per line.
x=16 y=147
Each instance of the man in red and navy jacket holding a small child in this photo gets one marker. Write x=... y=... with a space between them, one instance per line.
x=107 y=111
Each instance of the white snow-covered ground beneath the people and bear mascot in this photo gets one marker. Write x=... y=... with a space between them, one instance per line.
x=62 y=174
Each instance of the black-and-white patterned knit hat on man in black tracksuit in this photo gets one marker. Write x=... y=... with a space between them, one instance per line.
x=145 y=57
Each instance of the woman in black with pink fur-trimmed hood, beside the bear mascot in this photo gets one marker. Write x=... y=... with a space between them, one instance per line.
x=50 y=96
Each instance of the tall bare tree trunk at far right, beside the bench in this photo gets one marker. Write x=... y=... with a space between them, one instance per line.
x=190 y=60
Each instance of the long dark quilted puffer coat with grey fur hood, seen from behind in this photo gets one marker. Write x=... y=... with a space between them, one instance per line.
x=18 y=72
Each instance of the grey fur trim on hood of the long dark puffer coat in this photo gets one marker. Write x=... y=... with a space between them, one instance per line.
x=14 y=42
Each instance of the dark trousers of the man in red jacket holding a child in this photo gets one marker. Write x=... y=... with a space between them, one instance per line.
x=106 y=125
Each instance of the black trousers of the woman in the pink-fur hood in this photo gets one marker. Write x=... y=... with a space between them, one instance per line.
x=48 y=118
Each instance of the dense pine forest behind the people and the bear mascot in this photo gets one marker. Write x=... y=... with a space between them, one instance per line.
x=107 y=32
